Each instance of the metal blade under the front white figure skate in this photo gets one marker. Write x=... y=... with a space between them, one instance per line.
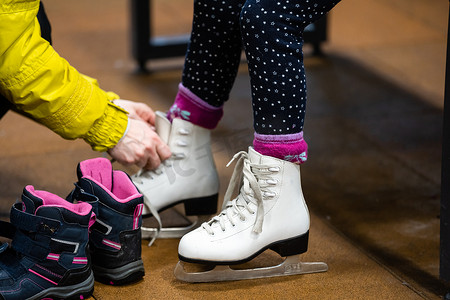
x=290 y=266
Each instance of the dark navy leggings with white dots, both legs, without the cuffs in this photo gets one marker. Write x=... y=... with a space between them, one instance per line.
x=271 y=33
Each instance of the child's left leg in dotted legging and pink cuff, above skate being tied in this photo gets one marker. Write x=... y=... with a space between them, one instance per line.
x=211 y=63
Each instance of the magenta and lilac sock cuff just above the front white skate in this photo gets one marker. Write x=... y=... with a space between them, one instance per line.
x=290 y=147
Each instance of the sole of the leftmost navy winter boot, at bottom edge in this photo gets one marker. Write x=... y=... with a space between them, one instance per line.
x=78 y=291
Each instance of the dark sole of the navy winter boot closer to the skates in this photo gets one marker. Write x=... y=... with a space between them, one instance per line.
x=126 y=274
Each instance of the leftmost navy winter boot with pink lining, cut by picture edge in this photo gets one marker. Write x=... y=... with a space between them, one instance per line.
x=48 y=255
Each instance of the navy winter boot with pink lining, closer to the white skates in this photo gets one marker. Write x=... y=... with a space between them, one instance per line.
x=115 y=240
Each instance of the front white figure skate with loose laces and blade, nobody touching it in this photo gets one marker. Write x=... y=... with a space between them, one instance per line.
x=269 y=213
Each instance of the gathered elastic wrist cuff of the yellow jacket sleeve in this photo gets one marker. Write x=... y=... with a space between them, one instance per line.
x=108 y=130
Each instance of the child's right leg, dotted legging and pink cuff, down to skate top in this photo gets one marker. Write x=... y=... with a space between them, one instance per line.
x=272 y=33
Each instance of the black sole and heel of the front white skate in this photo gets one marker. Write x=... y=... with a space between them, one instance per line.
x=284 y=248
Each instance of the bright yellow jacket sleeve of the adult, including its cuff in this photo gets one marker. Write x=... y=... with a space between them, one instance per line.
x=43 y=85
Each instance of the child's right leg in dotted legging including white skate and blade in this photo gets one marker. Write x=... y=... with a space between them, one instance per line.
x=270 y=211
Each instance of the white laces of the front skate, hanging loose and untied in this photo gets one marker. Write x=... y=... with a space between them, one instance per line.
x=254 y=186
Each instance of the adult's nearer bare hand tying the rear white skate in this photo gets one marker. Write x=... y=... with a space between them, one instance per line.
x=141 y=146
